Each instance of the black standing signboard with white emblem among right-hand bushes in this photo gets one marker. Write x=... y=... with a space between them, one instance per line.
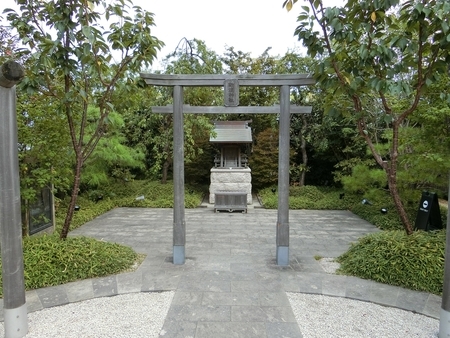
x=428 y=215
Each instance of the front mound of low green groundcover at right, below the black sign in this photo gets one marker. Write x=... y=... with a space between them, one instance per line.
x=392 y=257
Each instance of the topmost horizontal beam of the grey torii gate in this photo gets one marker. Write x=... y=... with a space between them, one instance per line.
x=213 y=80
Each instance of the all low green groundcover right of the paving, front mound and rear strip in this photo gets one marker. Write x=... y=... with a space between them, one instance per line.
x=415 y=262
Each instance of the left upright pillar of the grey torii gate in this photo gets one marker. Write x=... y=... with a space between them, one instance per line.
x=179 y=224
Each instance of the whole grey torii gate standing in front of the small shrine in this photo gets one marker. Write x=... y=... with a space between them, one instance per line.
x=231 y=85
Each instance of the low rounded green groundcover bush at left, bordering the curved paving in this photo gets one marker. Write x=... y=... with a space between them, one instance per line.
x=50 y=261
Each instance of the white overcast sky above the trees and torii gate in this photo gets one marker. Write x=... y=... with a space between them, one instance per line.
x=247 y=25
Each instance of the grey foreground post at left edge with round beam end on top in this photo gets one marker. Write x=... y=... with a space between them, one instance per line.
x=14 y=304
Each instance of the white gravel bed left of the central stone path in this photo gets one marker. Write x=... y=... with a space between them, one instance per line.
x=130 y=315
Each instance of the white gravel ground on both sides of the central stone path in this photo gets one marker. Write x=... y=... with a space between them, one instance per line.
x=143 y=314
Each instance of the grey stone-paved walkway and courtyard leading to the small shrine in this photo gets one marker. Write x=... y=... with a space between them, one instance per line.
x=230 y=284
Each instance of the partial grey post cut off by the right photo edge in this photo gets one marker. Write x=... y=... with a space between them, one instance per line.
x=444 y=323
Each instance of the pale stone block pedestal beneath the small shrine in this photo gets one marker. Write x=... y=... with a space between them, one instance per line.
x=231 y=179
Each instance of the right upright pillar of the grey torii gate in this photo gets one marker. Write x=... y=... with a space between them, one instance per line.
x=283 y=179
